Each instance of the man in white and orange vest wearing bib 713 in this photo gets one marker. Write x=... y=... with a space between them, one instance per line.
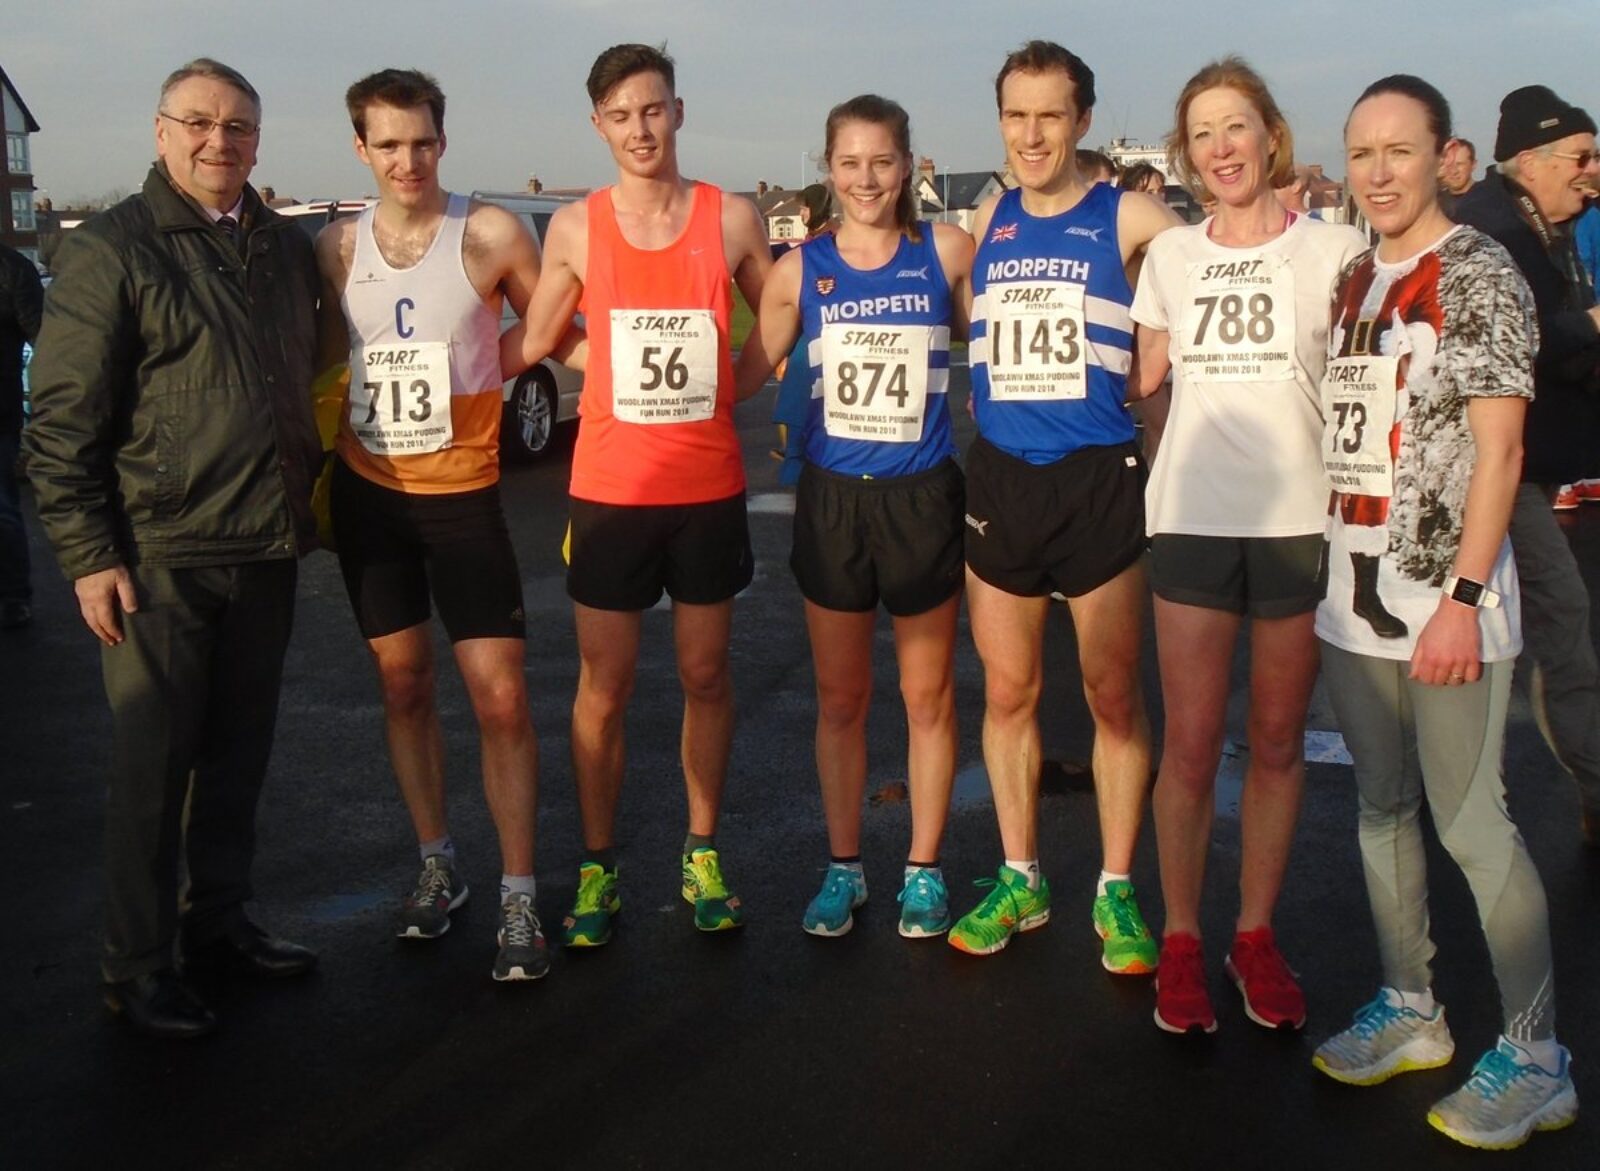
x=415 y=492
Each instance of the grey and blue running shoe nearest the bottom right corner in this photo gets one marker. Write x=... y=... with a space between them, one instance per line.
x=1508 y=1100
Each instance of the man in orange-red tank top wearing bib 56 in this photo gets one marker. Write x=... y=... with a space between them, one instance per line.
x=658 y=481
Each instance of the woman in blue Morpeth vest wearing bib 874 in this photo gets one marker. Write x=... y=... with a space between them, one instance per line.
x=879 y=510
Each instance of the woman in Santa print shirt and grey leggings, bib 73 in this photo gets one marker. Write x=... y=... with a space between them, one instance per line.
x=1428 y=380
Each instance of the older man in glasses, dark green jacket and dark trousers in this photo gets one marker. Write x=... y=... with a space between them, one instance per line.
x=174 y=455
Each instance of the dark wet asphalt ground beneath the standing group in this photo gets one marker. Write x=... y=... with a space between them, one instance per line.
x=671 y=1049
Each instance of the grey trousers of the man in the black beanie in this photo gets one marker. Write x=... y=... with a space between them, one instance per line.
x=1559 y=653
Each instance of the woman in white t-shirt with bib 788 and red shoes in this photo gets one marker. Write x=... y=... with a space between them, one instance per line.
x=1236 y=310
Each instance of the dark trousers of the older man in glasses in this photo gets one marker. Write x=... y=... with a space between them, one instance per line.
x=194 y=700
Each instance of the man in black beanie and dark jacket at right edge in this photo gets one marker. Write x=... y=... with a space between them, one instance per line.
x=1546 y=159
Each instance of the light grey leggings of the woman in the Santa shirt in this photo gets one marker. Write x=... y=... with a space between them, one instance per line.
x=1444 y=743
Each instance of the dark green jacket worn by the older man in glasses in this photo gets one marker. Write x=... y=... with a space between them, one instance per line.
x=172 y=390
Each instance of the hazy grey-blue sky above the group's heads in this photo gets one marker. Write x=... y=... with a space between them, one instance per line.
x=758 y=79
